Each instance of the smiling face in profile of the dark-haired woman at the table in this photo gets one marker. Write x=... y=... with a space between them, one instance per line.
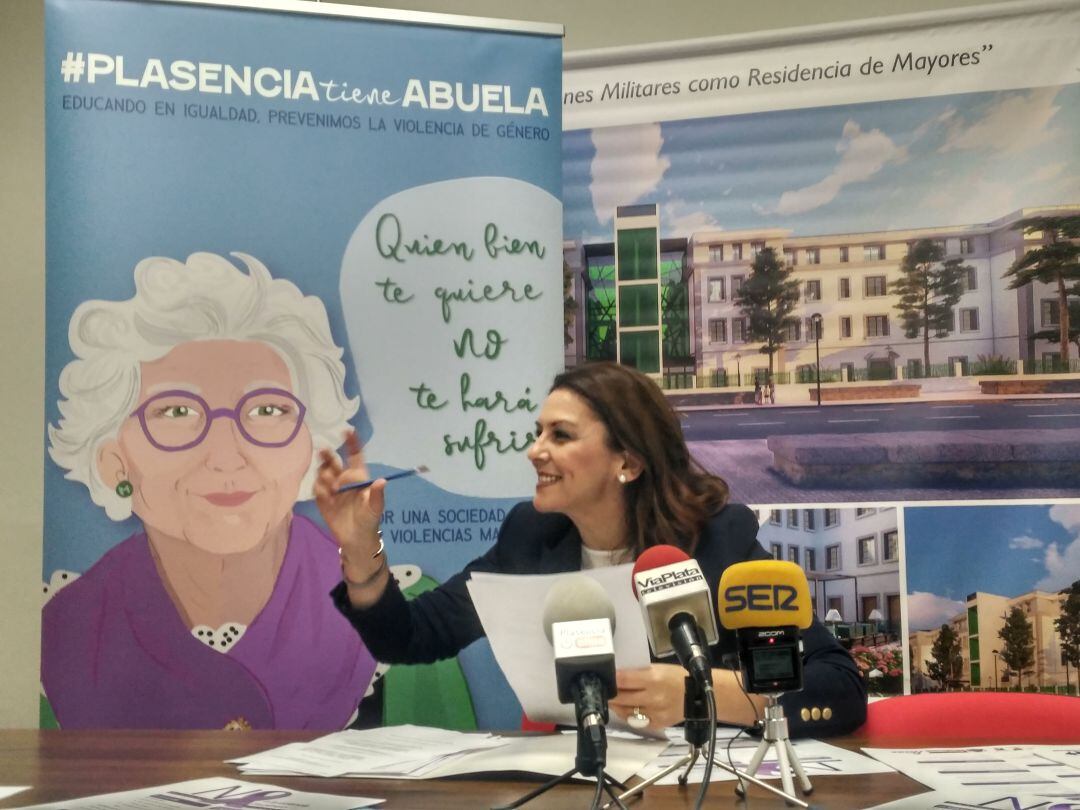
x=578 y=472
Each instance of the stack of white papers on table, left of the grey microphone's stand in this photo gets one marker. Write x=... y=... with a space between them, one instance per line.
x=394 y=752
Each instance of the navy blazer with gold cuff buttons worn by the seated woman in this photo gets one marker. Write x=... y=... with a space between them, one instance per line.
x=441 y=623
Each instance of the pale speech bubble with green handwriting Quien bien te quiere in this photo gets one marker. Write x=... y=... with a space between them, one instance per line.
x=453 y=301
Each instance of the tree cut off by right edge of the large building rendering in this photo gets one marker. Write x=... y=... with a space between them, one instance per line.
x=1057 y=262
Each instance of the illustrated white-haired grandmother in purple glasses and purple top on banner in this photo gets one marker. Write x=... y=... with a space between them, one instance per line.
x=198 y=406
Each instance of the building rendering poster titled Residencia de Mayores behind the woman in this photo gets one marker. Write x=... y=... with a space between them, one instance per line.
x=860 y=244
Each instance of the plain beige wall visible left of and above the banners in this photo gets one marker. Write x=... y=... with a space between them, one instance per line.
x=590 y=24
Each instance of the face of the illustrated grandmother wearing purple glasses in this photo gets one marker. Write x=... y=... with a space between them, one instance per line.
x=225 y=494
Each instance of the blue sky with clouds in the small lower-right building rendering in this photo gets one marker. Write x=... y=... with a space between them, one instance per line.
x=1007 y=550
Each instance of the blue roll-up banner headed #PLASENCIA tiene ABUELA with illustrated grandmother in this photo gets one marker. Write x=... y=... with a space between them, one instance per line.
x=265 y=228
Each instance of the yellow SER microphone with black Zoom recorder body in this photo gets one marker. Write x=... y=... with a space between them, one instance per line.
x=767 y=602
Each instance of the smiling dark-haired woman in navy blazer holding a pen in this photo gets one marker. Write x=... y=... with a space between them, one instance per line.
x=614 y=477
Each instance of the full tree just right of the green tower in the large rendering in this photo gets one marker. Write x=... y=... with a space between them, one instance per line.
x=767 y=299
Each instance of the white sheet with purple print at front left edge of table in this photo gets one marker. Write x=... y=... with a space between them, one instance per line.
x=212 y=793
